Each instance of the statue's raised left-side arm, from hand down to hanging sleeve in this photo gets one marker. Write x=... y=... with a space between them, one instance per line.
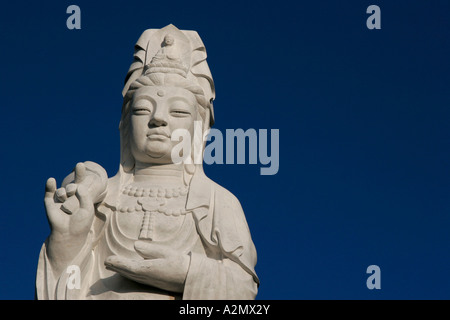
x=70 y=212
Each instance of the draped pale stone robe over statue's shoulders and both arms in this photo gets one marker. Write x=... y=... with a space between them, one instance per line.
x=214 y=234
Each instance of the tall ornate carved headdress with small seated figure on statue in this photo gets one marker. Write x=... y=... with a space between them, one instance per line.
x=174 y=54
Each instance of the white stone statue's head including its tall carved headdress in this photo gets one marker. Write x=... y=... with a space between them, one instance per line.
x=168 y=86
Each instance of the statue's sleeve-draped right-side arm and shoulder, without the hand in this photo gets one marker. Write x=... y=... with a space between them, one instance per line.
x=227 y=269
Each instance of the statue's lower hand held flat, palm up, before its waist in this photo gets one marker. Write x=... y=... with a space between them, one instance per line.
x=162 y=267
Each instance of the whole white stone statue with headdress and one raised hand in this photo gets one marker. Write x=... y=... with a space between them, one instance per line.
x=157 y=229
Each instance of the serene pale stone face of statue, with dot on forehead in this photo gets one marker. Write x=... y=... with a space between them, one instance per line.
x=155 y=113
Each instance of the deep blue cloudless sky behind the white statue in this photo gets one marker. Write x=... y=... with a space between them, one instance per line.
x=363 y=117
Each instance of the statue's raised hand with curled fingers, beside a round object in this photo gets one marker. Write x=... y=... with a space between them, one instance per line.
x=70 y=209
